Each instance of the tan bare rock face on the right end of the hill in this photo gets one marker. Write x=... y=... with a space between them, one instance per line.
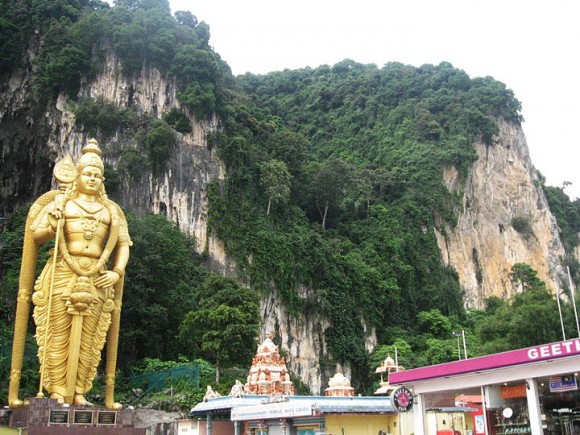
x=505 y=220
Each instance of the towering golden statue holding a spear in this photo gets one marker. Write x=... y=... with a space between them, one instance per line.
x=77 y=298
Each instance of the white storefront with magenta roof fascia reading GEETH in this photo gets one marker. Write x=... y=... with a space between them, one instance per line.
x=526 y=391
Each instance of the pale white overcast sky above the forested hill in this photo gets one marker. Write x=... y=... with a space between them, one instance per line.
x=533 y=46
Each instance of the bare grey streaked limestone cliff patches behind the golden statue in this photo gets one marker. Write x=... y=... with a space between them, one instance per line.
x=179 y=193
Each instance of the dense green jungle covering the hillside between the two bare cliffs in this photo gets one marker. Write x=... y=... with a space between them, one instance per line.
x=366 y=149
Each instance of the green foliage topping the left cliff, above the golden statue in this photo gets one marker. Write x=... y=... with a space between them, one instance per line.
x=73 y=38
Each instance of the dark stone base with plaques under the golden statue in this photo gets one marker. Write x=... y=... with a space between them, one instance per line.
x=48 y=417
